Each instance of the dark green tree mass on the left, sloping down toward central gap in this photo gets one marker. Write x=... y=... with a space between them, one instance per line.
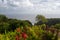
x=9 y=24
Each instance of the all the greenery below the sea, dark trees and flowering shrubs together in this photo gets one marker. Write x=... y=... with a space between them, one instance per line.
x=43 y=29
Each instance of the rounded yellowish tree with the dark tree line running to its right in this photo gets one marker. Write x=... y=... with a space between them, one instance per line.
x=48 y=21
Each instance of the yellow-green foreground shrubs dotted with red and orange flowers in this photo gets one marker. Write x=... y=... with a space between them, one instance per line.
x=29 y=33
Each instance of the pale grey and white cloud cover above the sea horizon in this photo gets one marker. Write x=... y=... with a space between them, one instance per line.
x=30 y=6
